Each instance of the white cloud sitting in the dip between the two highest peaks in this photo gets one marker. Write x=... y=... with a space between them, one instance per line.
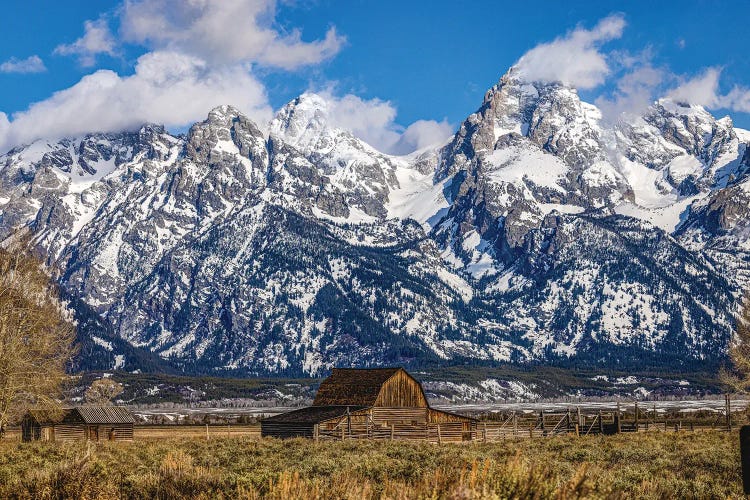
x=374 y=121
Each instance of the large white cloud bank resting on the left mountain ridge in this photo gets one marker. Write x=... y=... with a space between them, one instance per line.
x=166 y=88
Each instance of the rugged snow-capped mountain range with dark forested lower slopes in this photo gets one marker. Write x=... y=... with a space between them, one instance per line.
x=539 y=232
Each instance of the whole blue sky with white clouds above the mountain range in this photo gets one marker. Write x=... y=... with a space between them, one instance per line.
x=395 y=62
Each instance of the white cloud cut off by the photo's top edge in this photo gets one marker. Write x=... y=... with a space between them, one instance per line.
x=224 y=31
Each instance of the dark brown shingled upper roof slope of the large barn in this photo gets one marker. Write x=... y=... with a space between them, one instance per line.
x=353 y=386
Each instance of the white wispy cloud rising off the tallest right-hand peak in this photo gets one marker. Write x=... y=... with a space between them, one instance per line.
x=574 y=59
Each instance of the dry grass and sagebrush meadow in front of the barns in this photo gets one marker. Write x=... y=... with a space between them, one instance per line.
x=647 y=465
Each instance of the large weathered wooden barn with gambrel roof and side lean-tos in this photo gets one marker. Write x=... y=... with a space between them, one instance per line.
x=380 y=403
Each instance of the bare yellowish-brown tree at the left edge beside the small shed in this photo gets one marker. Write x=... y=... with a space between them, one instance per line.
x=36 y=337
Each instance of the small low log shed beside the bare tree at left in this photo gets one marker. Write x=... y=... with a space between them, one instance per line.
x=92 y=423
